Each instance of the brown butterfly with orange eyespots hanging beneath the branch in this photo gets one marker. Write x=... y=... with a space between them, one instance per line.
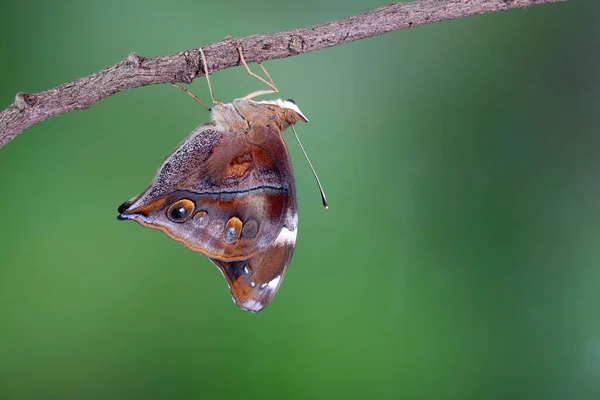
x=228 y=192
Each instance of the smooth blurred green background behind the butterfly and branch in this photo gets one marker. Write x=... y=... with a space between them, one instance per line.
x=459 y=257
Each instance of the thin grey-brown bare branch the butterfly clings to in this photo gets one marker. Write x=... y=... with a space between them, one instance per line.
x=135 y=71
